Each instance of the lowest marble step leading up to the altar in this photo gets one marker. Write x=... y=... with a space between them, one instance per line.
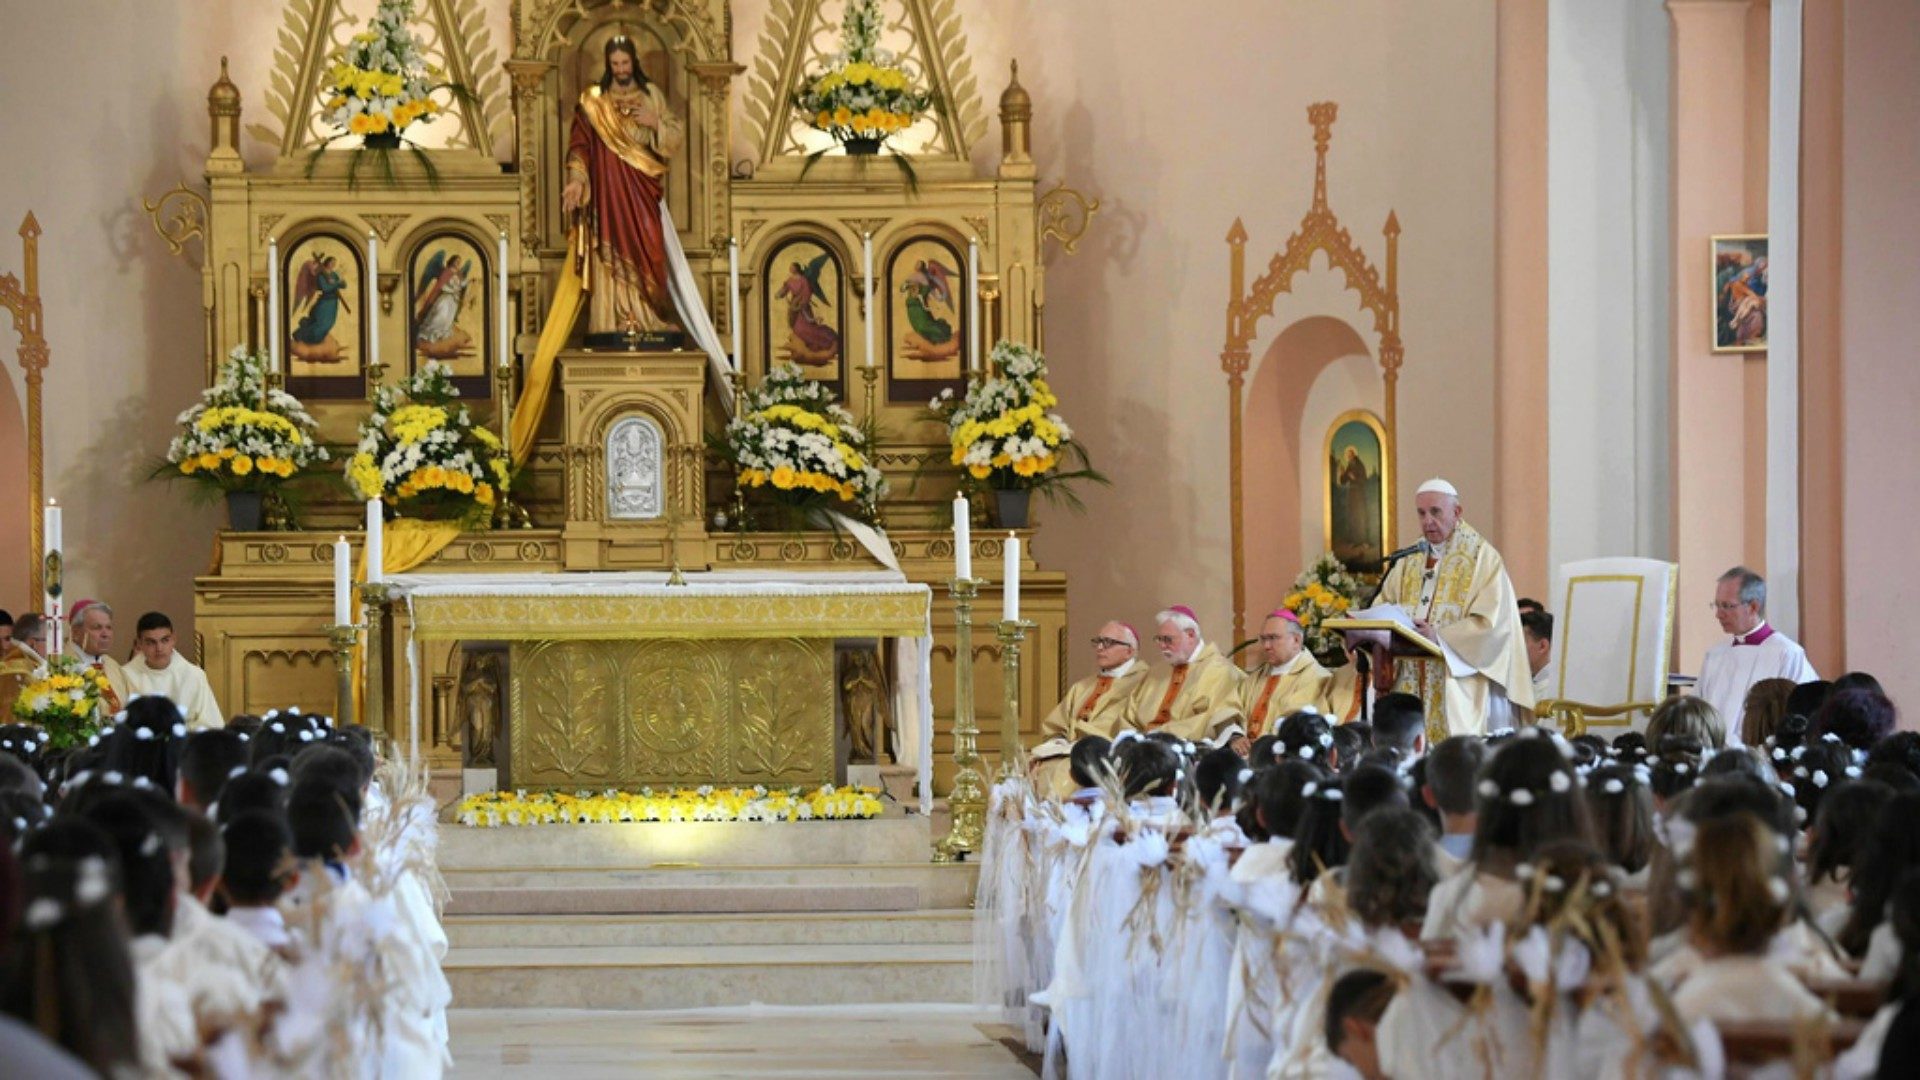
x=696 y=977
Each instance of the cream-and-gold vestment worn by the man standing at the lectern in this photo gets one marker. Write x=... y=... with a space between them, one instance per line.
x=1470 y=601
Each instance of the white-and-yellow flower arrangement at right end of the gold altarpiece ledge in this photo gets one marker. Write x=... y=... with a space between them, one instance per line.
x=1009 y=439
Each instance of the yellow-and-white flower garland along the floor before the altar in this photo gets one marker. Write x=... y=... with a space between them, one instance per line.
x=494 y=810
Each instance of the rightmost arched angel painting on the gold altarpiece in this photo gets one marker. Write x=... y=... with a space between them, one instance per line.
x=926 y=320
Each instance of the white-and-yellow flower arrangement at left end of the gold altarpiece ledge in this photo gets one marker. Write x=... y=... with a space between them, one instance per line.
x=243 y=439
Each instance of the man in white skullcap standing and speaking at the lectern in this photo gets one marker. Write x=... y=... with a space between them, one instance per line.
x=1460 y=597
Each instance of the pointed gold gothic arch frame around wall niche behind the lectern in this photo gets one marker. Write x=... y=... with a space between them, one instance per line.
x=1320 y=233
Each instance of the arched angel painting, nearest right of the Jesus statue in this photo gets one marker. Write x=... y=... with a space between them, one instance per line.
x=804 y=310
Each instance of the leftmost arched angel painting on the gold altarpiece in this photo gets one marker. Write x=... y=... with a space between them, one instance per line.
x=325 y=287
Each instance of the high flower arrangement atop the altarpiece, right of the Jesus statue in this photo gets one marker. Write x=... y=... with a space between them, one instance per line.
x=865 y=95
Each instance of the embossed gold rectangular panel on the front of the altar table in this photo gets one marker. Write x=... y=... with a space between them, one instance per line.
x=673 y=712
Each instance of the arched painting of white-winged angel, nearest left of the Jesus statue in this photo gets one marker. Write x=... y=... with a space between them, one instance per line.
x=450 y=310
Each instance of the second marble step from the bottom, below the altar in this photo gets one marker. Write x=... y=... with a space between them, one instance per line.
x=771 y=929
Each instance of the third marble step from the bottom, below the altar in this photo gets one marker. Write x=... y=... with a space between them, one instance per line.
x=838 y=887
